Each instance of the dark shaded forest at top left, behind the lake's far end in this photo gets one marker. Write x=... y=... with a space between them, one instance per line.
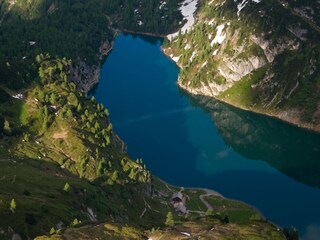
x=82 y=31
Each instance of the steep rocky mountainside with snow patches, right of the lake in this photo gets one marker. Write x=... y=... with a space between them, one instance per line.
x=257 y=55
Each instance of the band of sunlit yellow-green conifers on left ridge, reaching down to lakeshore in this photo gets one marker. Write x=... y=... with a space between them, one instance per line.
x=56 y=97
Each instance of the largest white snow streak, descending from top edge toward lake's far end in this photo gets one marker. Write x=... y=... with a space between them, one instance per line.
x=188 y=9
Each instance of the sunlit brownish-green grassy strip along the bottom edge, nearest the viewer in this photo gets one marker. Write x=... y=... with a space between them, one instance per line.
x=204 y=228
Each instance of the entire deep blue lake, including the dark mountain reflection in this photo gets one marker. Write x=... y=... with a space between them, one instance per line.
x=204 y=143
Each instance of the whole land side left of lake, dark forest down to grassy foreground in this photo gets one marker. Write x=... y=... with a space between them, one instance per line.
x=64 y=172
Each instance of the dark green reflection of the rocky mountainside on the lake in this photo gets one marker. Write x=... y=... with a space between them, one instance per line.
x=293 y=151
